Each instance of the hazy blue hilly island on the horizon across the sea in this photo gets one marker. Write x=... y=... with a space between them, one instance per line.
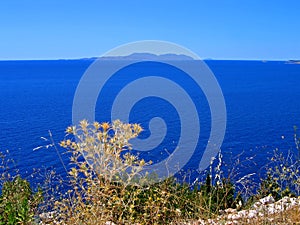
x=145 y=56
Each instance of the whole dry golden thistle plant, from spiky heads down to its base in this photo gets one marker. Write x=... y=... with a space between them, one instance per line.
x=102 y=172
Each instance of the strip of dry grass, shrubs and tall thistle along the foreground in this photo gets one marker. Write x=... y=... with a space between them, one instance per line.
x=106 y=185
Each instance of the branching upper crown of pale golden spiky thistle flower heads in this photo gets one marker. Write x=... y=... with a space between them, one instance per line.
x=106 y=149
